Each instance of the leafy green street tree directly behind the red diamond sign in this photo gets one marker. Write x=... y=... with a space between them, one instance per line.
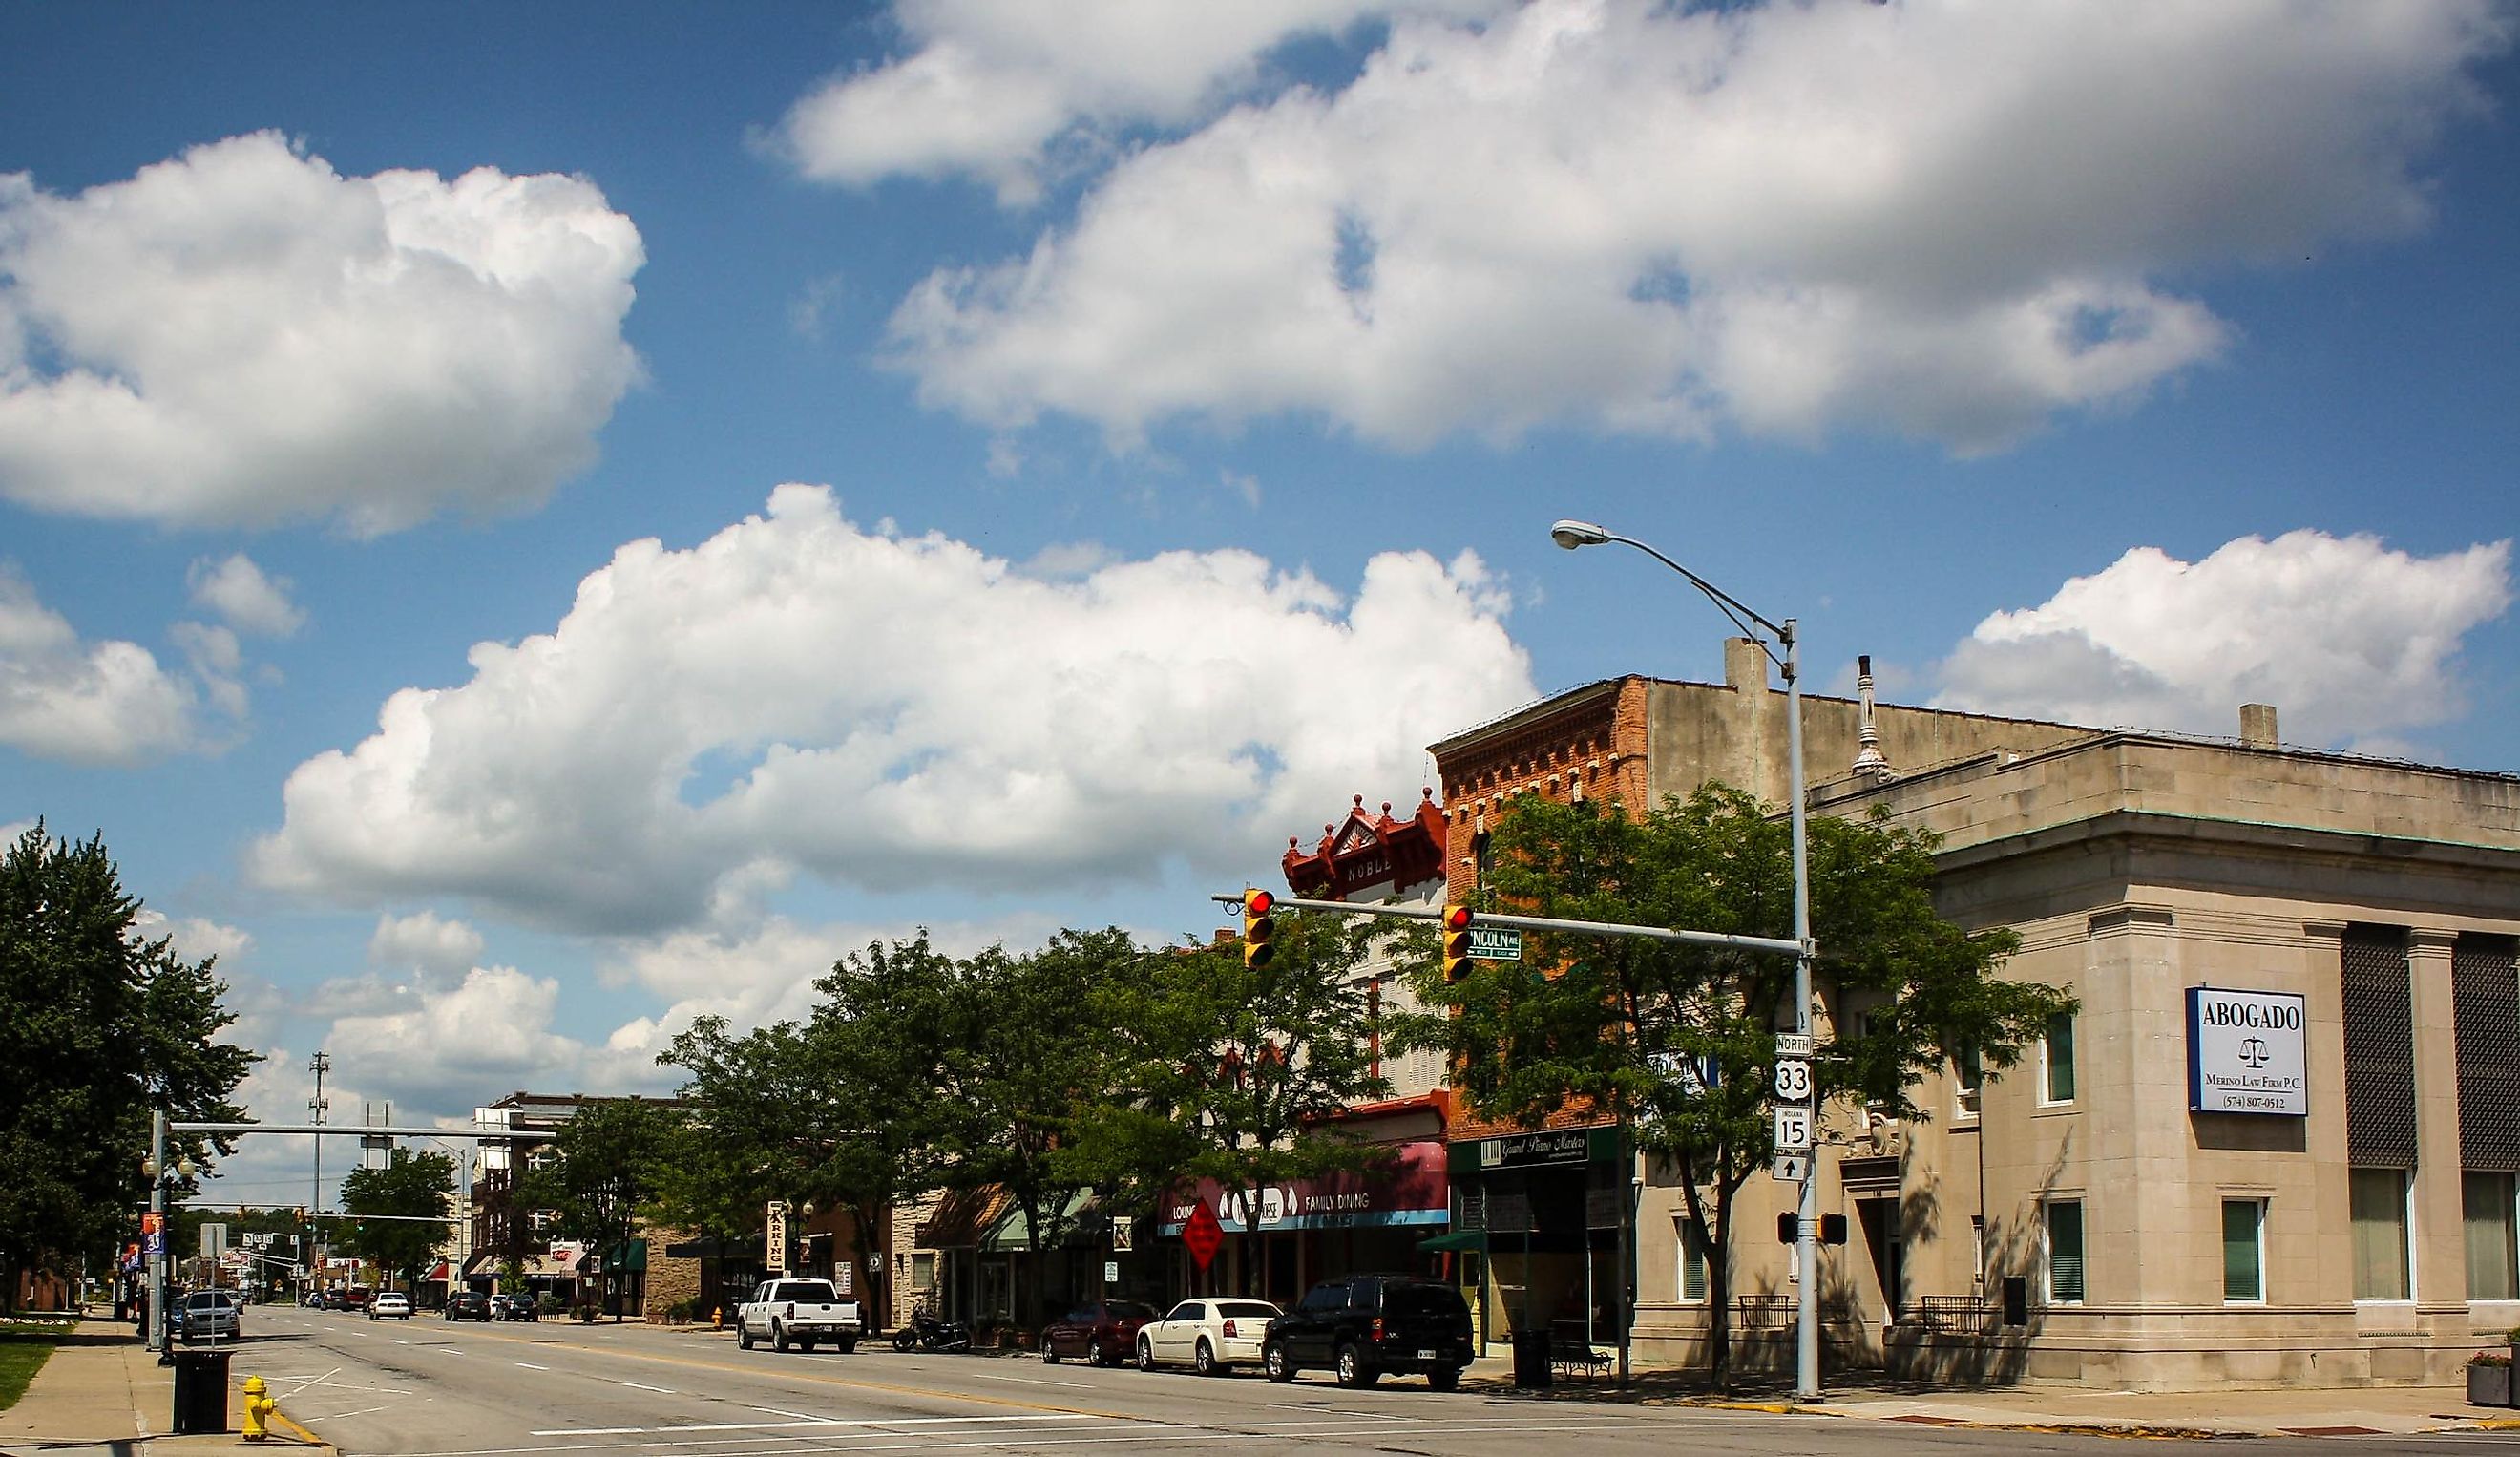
x=1234 y=1073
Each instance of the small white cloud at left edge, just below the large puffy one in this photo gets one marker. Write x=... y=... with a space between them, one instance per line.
x=84 y=702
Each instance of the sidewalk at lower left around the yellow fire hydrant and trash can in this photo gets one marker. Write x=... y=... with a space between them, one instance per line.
x=105 y=1393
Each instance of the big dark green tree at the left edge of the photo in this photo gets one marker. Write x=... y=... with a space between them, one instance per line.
x=105 y=1027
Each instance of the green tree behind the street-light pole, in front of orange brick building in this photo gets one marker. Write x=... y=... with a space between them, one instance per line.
x=1680 y=1042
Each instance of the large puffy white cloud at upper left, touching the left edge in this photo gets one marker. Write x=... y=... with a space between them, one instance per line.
x=243 y=337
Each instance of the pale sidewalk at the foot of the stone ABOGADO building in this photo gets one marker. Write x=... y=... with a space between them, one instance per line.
x=1866 y=1395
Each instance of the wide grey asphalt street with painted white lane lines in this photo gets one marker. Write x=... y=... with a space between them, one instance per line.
x=508 y=1390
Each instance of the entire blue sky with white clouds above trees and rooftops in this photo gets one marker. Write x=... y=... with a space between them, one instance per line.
x=530 y=526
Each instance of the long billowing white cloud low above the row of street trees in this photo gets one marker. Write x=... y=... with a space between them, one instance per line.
x=893 y=715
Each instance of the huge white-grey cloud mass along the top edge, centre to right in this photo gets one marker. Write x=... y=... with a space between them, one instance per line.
x=1932 y=218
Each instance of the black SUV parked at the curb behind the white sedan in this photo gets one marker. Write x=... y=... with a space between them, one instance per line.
x=1372 y=1325
